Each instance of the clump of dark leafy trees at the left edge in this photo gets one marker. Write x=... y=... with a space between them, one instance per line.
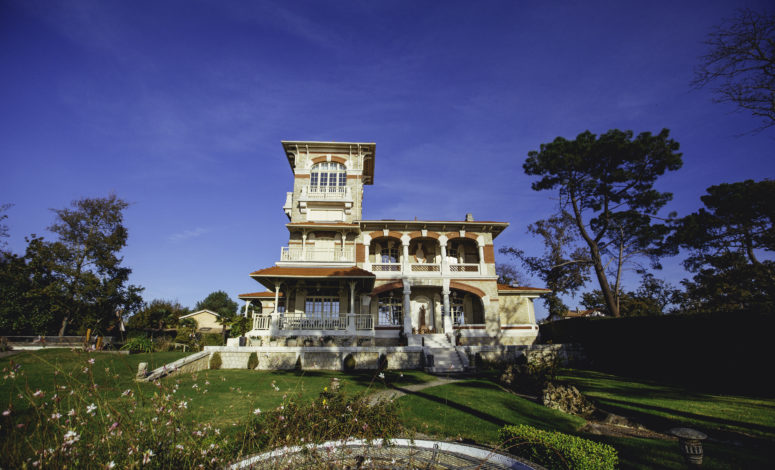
x=75 y=282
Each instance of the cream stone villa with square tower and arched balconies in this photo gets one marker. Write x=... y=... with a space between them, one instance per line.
x=381 y=282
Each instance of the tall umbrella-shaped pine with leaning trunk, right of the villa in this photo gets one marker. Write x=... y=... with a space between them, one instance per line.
x=606 y=184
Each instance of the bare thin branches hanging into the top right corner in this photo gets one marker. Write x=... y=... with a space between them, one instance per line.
x=740 y=64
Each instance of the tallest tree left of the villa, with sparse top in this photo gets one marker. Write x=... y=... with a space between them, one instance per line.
x=91 y=233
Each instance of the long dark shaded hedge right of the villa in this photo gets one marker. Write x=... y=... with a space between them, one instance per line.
x=724 y=349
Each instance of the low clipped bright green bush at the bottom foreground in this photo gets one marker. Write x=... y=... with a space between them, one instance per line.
x=557 y=450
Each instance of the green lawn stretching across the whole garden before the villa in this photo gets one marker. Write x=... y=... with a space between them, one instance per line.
x=741 y=429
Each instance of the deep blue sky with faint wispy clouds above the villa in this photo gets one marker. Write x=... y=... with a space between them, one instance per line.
x=179 y=107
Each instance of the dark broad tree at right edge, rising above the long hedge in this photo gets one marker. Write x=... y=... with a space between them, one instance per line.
x=731 y=242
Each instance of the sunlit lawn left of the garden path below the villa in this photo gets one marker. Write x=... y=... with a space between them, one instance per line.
x=219 y=397
